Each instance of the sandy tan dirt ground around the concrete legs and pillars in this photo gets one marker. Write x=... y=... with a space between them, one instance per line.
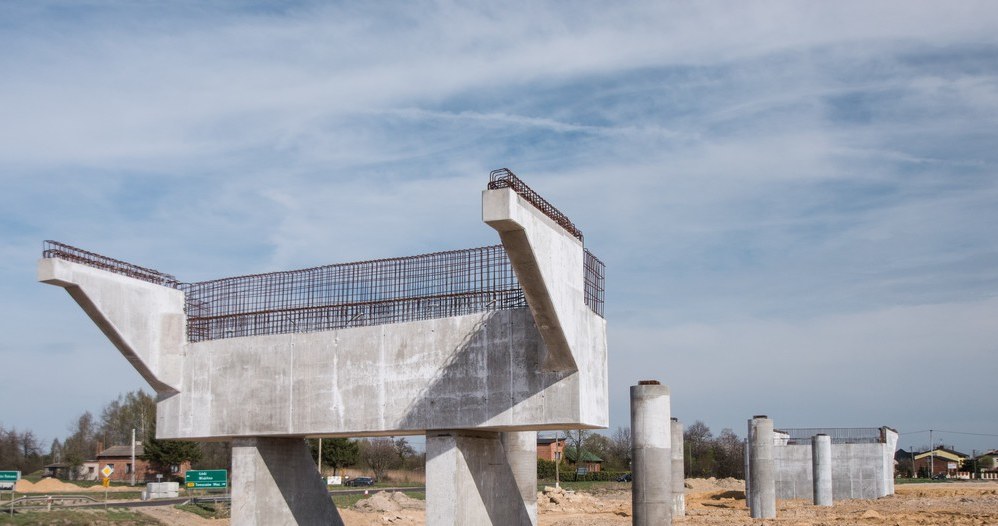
x=722 y=502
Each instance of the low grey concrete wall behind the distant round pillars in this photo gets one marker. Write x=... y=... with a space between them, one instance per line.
x=859 y=471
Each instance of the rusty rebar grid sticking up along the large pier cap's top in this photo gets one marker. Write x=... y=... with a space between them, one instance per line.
x=383 y=291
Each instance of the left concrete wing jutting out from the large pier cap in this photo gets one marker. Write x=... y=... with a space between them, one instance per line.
x=146 y=322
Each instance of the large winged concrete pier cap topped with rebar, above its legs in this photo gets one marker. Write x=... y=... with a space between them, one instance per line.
x=503 y=338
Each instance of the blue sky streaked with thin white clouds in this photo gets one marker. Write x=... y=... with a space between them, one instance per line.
x=796 y=201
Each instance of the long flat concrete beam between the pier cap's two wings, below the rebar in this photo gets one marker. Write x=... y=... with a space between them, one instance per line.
x=475 y=371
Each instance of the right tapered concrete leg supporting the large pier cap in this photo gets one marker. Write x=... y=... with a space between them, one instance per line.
x=469 y=481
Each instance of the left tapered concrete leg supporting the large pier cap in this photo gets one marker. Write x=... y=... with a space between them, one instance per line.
x=275 y=482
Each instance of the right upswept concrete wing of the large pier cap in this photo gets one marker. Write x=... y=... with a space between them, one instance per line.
x=548 y=262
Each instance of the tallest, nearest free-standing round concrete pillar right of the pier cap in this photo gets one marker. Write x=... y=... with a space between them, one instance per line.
x=651 y=454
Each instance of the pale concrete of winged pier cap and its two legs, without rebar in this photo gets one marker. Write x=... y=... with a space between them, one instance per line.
x=541 y=368
